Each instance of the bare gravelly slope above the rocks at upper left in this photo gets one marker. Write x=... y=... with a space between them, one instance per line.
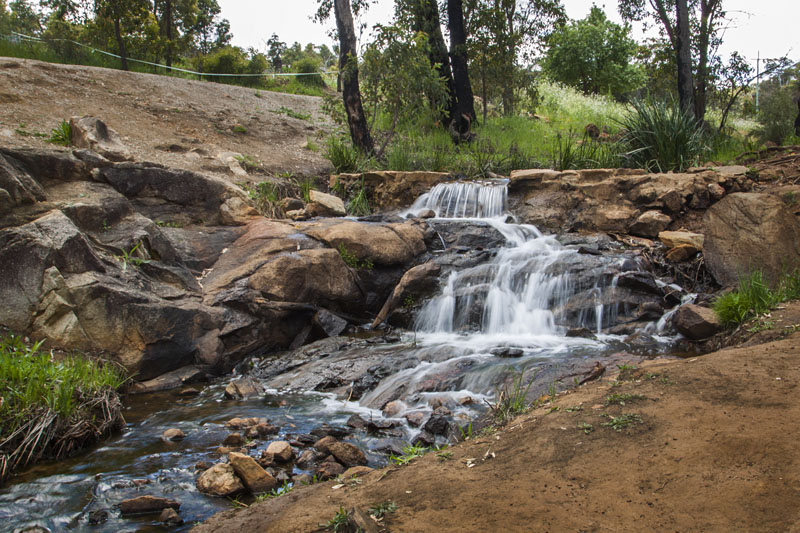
x=175 y=122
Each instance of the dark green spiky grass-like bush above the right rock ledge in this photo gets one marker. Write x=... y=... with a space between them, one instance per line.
x=660 y=136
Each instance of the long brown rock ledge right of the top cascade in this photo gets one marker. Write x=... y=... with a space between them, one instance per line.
x=616 y=200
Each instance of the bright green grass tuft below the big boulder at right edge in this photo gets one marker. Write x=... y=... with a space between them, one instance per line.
x=754 y=297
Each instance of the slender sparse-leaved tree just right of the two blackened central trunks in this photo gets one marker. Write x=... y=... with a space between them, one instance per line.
x=506 y=33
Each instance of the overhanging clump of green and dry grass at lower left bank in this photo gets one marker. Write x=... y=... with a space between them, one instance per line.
x=51 y=406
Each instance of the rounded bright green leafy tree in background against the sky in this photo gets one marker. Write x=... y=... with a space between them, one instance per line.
x=594 y=55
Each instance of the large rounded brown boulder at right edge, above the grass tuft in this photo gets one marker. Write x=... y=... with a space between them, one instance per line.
x=749 y=231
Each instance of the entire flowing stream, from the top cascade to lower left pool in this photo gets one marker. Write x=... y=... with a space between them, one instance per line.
x=525 y=298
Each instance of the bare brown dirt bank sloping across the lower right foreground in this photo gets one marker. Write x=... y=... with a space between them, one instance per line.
x=716 y=450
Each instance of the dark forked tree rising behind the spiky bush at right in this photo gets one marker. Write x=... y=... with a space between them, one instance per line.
x=701 y=28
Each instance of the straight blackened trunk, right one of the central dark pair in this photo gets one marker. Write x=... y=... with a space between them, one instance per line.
x=464 y=107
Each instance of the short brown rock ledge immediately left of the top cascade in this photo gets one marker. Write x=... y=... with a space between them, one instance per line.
x=388 y=189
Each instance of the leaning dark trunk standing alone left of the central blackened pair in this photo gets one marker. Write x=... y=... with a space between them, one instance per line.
x=348 y=67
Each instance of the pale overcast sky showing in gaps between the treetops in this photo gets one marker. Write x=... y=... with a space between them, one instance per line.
x=768 y=26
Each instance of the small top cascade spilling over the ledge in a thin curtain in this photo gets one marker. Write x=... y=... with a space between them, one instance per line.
x=464 y=200
